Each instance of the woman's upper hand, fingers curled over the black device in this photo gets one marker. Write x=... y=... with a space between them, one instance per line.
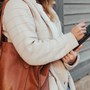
x=79 y=31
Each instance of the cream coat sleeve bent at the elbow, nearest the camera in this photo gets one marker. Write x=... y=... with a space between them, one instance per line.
x=20 y=27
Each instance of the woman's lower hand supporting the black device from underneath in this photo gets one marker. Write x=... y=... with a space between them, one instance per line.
x=70 y=58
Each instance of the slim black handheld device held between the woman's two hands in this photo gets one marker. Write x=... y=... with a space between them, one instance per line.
x=87 y=35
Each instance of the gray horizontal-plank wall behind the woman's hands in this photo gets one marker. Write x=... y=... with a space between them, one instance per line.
x=76 y=11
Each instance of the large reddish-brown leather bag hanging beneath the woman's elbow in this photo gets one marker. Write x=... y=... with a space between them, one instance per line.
x=15 y=74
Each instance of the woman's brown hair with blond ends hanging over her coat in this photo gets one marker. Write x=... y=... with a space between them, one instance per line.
x=47 y=5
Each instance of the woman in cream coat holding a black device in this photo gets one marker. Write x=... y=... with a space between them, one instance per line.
x=35 y=30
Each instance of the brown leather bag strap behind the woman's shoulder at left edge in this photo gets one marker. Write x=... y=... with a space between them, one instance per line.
x=1 y=15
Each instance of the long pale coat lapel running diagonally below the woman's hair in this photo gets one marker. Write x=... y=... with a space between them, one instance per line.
x=38 y=11
